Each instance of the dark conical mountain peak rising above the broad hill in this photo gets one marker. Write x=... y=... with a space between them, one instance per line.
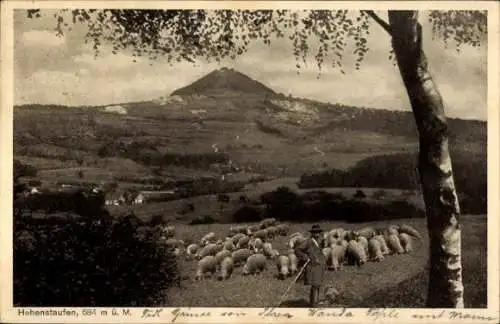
x=222 y=81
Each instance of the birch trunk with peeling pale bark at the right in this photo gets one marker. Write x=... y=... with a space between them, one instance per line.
x=436 y=175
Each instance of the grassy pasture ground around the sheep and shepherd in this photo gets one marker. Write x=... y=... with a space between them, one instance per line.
x=398 y=281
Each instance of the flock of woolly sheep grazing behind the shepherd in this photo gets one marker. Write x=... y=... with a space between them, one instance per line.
x=251 y=247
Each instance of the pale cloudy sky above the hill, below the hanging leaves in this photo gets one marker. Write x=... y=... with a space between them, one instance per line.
x=49 y=69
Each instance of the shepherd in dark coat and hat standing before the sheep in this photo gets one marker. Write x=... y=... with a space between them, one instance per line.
x=311 y=250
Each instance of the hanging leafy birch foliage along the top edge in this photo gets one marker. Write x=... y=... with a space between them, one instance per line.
x=187 y=35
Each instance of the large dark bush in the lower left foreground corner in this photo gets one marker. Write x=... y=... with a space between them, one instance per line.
x=91 y=264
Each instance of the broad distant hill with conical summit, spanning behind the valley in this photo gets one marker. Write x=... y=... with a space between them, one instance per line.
x=223 y=121
